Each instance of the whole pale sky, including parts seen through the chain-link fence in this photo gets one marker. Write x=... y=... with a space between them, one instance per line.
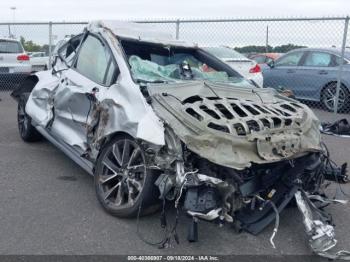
x=307 y=33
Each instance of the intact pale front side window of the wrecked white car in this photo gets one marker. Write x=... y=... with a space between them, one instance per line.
x=93 y=61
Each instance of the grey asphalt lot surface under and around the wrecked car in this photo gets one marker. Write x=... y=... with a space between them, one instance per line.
x=48 y=206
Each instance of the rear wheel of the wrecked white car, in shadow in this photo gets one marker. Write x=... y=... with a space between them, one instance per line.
x=27 y=132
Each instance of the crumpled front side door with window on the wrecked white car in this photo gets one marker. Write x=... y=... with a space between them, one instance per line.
x=92 y=71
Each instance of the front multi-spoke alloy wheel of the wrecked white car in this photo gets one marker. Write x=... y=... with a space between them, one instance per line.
x=121 y=189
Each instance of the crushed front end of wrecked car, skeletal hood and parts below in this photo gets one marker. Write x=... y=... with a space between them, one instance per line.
x=235 y=155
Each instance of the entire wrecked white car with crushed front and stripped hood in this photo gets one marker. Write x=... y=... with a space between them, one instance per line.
x=156 y=119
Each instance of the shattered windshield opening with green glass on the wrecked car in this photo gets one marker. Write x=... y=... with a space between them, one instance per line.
x=158 y=63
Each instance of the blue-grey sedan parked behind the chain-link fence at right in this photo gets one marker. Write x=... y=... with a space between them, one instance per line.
x=311 y=73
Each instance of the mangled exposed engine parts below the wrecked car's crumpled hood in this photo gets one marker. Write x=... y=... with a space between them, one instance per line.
x=251 y=198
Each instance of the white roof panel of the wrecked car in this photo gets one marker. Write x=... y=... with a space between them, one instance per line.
x=138 y=31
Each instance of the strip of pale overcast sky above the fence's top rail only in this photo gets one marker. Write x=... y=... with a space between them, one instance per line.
x=73 y=10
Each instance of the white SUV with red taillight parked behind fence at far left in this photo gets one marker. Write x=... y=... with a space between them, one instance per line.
x=14 y=62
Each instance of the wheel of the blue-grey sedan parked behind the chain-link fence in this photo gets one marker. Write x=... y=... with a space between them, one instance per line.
x=328 y=97
